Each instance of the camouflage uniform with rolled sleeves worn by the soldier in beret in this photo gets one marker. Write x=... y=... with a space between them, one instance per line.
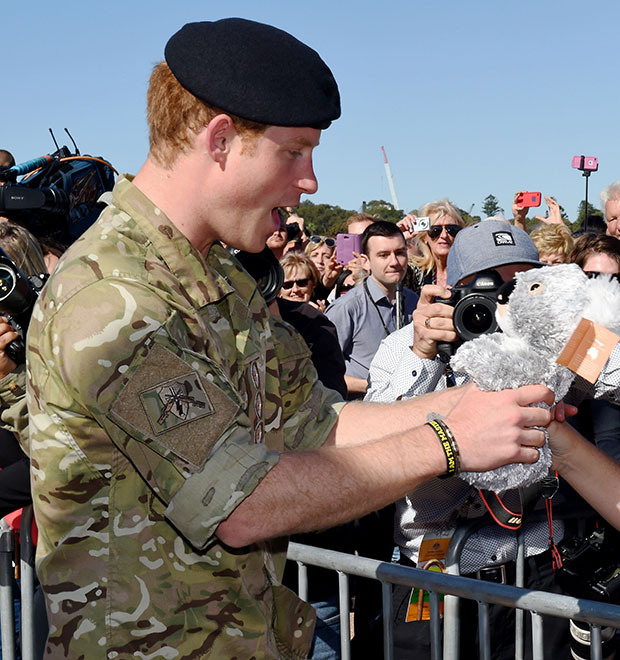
x=160 y=393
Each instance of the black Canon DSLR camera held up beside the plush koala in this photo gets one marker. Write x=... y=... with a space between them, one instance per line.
x=474 y=308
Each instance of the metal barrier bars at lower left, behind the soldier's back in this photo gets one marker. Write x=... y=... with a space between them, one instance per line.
x=7 y=574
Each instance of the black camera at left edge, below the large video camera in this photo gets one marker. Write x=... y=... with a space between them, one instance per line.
x=18 y=294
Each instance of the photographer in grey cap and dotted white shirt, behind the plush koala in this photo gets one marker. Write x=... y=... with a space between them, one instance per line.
x=407 y=365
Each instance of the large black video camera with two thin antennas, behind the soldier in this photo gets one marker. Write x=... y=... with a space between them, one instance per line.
x=57 y=196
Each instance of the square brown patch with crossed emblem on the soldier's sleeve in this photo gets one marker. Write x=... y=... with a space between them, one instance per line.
x=167 y=400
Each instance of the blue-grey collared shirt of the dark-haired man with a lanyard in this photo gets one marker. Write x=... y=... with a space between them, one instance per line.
x=363 y=318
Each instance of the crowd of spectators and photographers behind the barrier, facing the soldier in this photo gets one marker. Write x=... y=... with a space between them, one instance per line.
x=385 y=363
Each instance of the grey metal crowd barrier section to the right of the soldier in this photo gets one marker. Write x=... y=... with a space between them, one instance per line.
x=538 y=603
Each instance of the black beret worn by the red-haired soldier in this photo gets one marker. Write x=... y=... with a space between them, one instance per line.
x=254 y=71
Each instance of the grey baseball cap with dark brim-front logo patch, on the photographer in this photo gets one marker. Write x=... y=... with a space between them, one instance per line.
x=489 y=244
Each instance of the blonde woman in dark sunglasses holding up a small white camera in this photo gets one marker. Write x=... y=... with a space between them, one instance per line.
x=429 y=267
